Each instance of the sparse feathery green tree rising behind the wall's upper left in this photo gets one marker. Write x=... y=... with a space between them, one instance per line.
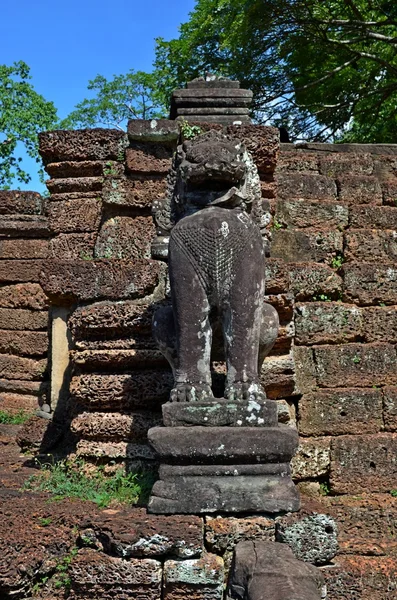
x=130 y=96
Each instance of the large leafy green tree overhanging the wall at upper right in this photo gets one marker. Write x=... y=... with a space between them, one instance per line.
x=325 y=70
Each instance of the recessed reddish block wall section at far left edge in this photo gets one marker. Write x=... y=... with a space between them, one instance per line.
x=24 y=246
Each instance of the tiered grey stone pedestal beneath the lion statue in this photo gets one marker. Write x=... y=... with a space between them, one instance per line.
x=223 y=456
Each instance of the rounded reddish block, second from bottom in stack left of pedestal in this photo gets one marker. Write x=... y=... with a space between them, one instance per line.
x=115 y=426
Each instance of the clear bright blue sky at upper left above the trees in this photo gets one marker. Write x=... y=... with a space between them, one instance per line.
x=67 y=43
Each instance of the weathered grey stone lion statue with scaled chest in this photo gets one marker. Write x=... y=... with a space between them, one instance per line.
x=216 y=265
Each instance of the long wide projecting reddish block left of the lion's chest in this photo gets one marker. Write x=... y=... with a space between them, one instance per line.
x=91 y=280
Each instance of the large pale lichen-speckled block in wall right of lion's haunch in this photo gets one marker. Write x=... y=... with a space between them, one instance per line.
x=327 y=323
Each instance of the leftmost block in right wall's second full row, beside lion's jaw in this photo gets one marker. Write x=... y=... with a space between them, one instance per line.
x=305 y=186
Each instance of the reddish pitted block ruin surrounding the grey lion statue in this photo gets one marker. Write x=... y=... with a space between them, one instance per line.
x=82 y=274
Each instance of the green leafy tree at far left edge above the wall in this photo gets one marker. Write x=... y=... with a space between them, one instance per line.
x=23 y=113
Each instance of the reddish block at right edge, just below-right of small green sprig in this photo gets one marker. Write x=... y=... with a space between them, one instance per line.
x=368 y=283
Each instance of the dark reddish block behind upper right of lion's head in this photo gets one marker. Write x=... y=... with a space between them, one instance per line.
x=263 y=143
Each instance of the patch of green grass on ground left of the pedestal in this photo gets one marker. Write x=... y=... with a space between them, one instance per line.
x=69 y=479
